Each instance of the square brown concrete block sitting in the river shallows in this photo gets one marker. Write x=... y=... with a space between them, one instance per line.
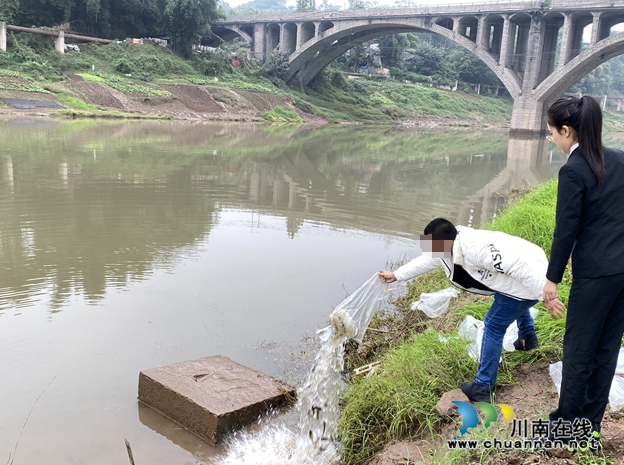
x=211 y=396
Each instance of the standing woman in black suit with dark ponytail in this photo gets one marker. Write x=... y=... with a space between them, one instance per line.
x=590 y=226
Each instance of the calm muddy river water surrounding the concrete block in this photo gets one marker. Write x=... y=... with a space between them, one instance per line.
x=127 y=246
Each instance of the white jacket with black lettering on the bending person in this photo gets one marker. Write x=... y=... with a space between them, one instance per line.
x=505 y=264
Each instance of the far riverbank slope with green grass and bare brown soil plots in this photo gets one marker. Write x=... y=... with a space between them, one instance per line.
x=102 y=79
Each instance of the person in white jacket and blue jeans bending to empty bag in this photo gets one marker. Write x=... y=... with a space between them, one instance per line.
x=487 y=263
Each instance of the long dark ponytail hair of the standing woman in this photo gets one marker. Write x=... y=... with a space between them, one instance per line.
x=585 y=116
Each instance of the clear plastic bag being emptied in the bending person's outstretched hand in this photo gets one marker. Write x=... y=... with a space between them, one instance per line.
x=353 y=315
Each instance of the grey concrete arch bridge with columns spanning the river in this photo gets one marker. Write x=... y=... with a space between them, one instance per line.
x=516 y=40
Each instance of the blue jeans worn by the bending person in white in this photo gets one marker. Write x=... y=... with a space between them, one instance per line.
x=503 y=312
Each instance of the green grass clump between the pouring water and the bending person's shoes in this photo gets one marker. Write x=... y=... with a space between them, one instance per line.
x=399 y=401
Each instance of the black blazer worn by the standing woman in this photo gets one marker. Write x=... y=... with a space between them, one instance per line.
x=590 y=219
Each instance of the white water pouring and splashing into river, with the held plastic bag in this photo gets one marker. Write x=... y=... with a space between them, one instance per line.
x=316 y=443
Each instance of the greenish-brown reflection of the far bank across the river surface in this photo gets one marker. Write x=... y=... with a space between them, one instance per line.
x=89 y=205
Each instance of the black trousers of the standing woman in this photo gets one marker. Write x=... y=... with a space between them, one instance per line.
x=594 y=328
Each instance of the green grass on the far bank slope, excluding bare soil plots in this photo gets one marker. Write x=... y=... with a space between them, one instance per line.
x=330 y=95
